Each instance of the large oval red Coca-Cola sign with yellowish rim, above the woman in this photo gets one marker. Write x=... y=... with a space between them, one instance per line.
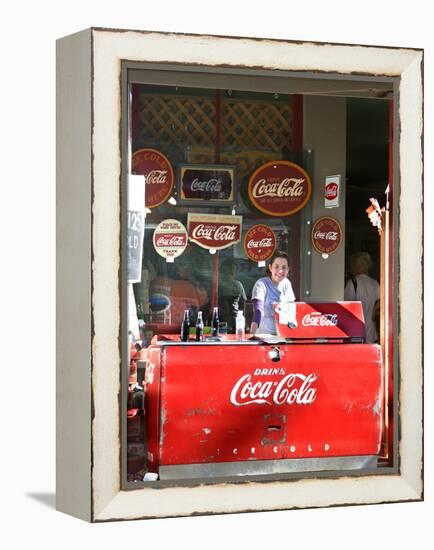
x=279 y=188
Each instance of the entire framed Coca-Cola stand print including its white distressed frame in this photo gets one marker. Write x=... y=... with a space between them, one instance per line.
x=242 y=331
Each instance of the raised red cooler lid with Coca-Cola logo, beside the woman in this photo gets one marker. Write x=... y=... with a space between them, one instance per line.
x=323 y=320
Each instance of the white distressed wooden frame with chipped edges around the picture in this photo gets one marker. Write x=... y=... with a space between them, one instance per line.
x=88 y=263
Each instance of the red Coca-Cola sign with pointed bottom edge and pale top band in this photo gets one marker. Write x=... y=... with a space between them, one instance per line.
x=214 y=231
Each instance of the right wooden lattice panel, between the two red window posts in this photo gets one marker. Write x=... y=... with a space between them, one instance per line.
x=257 y=125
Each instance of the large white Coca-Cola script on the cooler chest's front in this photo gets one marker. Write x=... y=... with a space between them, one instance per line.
x=265 y=388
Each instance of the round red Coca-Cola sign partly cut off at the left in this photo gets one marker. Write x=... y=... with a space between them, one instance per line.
x=158 y=173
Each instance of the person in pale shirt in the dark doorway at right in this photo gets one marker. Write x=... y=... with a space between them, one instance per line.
x=363 y=288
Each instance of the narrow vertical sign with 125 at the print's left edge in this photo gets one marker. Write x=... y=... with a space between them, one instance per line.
x=135 y=228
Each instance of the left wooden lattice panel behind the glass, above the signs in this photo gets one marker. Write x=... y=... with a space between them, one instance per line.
x=177 y=120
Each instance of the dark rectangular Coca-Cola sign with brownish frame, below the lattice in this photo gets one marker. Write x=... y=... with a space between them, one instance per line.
x=198 y=183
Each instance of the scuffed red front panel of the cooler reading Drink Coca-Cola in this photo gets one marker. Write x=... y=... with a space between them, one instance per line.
x=230 y=403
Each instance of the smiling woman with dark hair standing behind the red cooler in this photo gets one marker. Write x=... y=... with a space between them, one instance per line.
x=274 y=288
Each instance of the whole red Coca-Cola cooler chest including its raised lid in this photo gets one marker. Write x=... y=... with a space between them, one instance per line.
x=310 y=398
